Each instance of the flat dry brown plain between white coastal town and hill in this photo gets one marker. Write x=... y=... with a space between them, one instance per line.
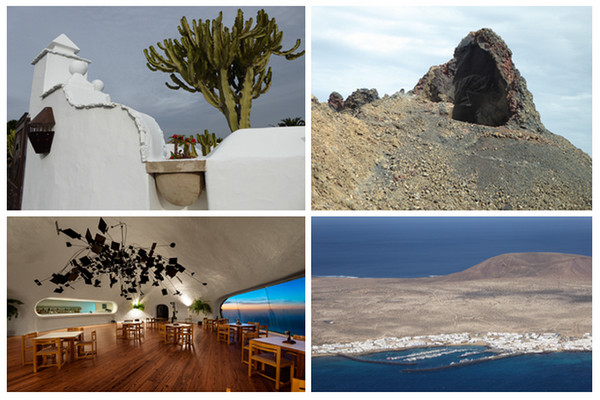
x=350 y=309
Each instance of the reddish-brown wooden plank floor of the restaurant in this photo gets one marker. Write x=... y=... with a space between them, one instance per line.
x=147 y=365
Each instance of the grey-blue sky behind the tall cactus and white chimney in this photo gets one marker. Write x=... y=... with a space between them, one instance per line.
x=114 y=38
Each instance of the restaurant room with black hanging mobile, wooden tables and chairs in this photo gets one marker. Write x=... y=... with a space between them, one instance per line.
x=136 y=304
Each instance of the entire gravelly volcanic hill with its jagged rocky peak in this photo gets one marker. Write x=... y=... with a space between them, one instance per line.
x=466 y=137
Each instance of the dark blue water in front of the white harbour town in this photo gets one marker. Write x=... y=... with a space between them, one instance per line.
x=551 y=372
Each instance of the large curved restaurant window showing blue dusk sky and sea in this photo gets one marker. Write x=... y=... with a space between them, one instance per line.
x=279 y=306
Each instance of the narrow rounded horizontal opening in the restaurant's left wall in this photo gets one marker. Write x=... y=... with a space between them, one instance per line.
x=55 y=307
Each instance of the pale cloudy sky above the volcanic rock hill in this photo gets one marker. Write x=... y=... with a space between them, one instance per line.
x=389 y=48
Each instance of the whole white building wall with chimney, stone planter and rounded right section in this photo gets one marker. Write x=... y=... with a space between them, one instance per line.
x=105 y=155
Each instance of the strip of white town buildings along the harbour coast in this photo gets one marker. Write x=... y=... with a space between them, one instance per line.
x=503 y=343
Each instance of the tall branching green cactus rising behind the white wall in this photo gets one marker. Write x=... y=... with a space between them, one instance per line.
x=228 y=66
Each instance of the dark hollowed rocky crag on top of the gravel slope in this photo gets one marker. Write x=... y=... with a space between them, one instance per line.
x=483 y=83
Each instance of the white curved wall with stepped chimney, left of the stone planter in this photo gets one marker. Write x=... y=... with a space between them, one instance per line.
x=100 y=147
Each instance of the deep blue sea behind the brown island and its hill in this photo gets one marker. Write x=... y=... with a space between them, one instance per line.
x=423 y=246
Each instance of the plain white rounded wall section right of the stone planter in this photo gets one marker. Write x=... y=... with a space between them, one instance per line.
x=257 y=169
